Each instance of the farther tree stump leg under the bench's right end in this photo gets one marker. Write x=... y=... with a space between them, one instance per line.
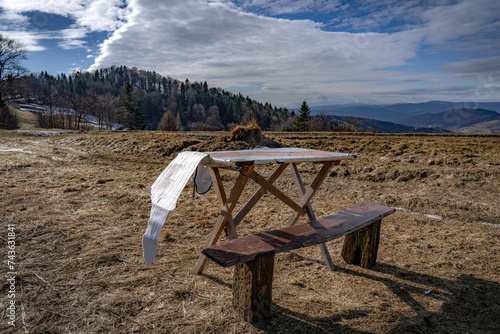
x=361 y=246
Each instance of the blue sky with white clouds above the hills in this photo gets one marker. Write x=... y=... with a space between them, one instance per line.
x=282 y=52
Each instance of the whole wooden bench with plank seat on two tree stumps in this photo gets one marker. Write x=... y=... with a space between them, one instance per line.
x=253 y=255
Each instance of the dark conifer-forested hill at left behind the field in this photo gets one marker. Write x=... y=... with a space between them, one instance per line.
x=194 y=105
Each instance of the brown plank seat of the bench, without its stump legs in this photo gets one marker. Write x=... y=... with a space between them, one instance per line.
x=337 y=225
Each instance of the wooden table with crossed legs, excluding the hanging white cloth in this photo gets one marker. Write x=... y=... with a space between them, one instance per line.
x=244 y=163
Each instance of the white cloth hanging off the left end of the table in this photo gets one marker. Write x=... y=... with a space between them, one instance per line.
x=164 y=194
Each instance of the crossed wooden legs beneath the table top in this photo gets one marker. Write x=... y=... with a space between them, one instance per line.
x=226 y=221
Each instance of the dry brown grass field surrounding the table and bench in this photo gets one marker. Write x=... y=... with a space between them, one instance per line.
x=80 y=204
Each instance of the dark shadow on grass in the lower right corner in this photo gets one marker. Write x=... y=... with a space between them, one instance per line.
x=470 y=305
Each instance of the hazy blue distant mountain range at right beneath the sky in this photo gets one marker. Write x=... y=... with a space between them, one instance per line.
x=480 y=117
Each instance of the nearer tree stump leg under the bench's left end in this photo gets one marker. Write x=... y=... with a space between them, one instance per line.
x=252 y=289
